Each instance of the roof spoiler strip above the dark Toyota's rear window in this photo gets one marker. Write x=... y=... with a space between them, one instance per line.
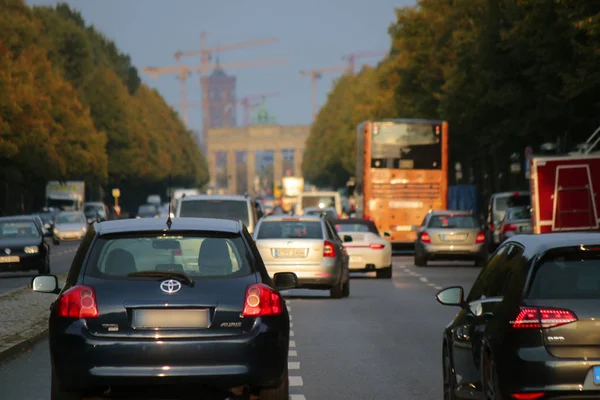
x=159 y=224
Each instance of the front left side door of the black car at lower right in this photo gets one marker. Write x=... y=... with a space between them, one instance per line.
x=469 y=326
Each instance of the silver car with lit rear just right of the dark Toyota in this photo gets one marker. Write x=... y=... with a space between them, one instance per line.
x=307 y=246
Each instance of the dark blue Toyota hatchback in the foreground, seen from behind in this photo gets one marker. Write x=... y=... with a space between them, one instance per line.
x=163 y=310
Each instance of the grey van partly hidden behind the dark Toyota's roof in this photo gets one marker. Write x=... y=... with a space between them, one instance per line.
x=219 y=206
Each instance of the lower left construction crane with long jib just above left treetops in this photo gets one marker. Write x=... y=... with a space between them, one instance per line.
x=183 y=71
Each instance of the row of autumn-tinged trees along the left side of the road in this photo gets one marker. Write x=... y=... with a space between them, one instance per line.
x=73 y=107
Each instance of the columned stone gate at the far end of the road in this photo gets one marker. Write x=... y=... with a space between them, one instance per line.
x=251 y=140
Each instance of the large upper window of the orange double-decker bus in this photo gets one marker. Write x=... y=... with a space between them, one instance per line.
x=406 y=146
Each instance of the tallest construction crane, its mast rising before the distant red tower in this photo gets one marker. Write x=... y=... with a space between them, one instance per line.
x=205 y=58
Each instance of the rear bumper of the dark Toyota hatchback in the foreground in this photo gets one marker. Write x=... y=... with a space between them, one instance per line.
x=84 y=362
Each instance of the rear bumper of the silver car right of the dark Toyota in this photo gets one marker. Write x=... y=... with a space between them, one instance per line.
x=311 y=276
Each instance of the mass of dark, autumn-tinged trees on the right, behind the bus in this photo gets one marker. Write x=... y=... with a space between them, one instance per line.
x=505 y=74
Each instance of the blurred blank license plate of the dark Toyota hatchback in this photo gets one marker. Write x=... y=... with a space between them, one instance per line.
x=183 y=319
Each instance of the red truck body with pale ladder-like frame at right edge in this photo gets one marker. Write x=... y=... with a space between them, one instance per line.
x=564 y=193
